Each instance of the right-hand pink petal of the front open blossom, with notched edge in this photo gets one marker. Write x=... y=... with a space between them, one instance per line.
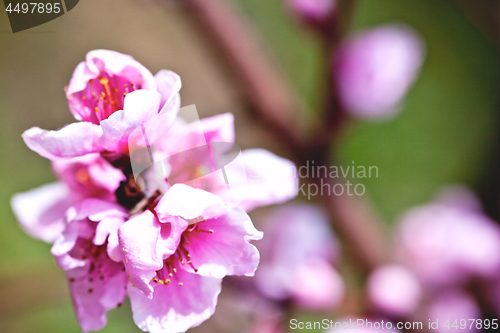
x=227 y=250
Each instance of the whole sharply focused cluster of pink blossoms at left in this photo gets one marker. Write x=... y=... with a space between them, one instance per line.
x=117 y=233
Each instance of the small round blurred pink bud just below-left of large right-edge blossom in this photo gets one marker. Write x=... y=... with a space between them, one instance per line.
x=394 y=289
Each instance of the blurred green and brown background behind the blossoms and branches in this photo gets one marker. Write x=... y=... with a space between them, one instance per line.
x=447 y=132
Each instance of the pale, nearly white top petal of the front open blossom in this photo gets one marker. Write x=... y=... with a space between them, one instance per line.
x=189 y=203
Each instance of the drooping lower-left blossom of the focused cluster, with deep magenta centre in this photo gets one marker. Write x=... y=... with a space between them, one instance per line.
x=88 y=251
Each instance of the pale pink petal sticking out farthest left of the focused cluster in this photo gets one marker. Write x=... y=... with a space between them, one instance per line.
x=40 y=211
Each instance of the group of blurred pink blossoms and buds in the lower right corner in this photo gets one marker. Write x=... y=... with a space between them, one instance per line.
x=444 y=248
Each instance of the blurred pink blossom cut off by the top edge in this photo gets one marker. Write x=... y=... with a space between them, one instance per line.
x=312 y=11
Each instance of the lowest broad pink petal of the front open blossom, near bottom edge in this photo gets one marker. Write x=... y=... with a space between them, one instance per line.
x=175 y=309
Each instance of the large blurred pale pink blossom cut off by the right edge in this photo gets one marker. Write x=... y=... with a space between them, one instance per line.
x=446 y=244
